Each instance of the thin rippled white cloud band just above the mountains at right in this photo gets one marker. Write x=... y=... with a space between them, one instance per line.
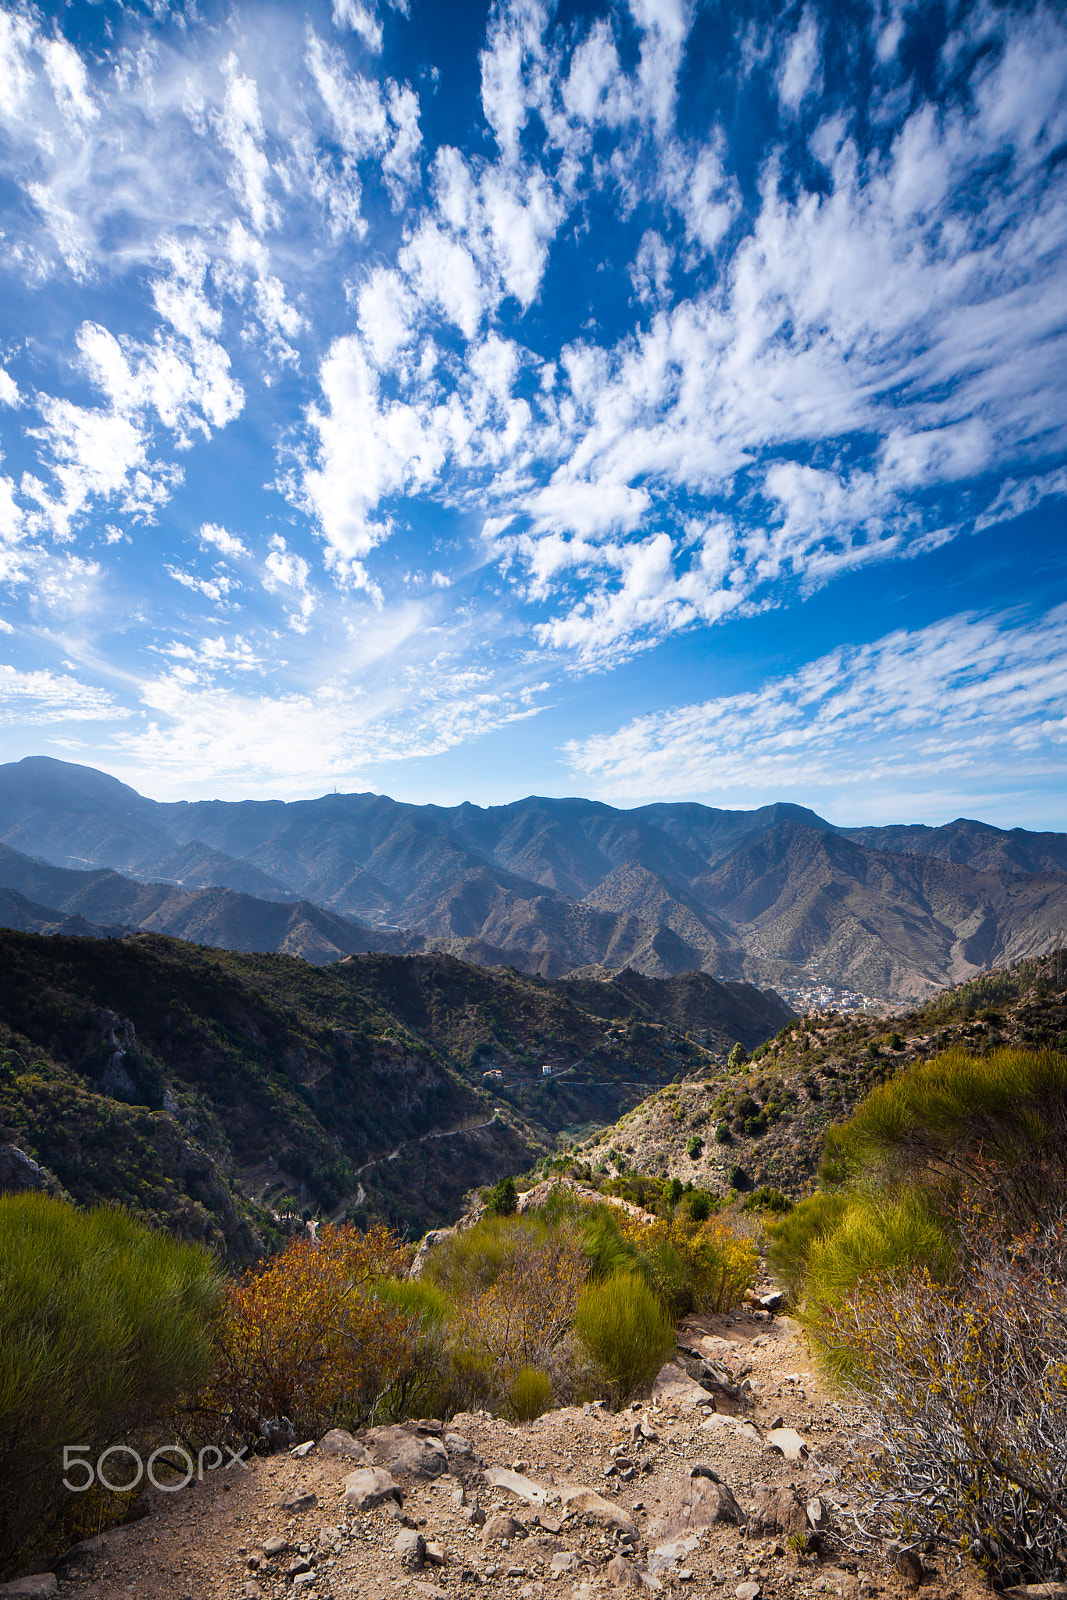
x=956 y=698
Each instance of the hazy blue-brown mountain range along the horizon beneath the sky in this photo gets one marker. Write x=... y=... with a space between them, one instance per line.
x=777 y=897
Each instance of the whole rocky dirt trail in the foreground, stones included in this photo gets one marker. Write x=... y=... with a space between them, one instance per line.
x=695 y=1492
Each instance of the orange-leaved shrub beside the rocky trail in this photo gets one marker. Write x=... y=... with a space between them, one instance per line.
x=306 y=1338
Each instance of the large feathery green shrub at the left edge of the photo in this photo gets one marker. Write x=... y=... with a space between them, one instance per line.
x=105 y=1327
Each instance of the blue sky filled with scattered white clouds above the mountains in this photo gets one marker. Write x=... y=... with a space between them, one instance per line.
x=657 y=401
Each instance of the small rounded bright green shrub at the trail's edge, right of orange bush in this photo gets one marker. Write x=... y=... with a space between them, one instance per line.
x=626 y=1332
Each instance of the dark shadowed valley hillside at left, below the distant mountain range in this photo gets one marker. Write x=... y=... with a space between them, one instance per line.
x=212 y=1090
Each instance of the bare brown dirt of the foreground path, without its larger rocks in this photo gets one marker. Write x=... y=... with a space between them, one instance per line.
x=207 y=1542
